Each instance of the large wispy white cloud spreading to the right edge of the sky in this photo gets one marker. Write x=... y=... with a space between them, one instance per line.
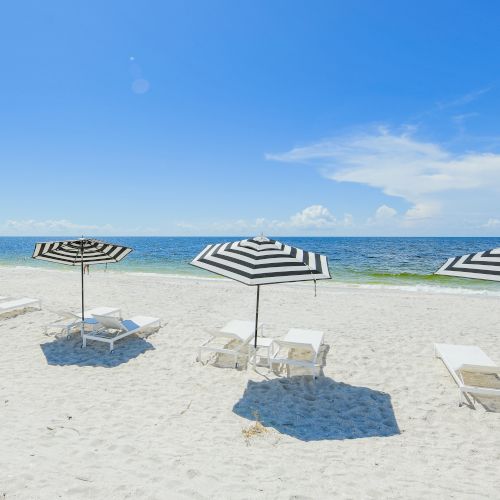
x=401 y=166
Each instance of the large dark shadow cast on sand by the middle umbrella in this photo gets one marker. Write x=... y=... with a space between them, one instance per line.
x=322 y=409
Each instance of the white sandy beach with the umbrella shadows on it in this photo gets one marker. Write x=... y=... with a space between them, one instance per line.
x=149 y=422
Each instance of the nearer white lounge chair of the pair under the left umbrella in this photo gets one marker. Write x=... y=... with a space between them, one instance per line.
x=113 y=329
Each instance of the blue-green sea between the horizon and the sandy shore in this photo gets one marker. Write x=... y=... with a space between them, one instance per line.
x=375 y=261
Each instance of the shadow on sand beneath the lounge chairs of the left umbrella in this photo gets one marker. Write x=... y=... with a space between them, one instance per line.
x=63 y=352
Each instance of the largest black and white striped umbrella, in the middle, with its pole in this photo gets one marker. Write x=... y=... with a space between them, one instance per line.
x=262 y=261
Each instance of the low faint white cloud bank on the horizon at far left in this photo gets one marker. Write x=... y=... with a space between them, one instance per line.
x=52 y=227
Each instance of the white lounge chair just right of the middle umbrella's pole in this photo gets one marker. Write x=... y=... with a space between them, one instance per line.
x=308 y=340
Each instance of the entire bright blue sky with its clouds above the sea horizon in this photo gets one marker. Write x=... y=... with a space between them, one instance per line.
x=242 y=117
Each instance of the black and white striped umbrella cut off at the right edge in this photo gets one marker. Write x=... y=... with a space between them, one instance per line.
x=480 y=265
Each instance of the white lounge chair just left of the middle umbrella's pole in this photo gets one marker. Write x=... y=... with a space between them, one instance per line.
x=236 y=331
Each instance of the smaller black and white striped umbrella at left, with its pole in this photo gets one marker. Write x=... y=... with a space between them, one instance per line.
x=80 y=252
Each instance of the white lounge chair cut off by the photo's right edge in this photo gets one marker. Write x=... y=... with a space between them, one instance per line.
x=466 y=361
